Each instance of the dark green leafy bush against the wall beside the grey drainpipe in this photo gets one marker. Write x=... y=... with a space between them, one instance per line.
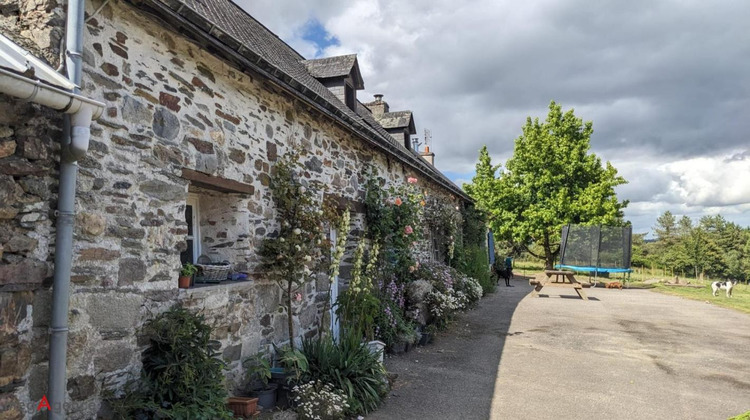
x=182 y=374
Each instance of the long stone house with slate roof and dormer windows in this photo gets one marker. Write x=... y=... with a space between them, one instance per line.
x=199 y=101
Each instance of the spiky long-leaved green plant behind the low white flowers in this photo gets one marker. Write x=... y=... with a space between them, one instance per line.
x=349 y=366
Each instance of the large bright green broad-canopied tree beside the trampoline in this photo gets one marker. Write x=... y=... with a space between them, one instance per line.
x=551 y=180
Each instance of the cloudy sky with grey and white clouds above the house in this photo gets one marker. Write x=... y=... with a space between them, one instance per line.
x=666 y=83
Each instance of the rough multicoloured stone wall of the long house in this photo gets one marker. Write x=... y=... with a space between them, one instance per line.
x=170 y=105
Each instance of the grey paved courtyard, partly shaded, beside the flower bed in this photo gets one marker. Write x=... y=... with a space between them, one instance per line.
x=630 y=354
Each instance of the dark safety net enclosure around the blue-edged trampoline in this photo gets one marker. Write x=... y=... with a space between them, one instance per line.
x=596 y=248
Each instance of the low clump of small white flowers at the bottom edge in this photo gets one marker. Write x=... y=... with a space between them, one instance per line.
x=318 y=400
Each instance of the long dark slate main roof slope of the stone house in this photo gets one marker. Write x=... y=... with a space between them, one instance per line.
x=237 y=37
